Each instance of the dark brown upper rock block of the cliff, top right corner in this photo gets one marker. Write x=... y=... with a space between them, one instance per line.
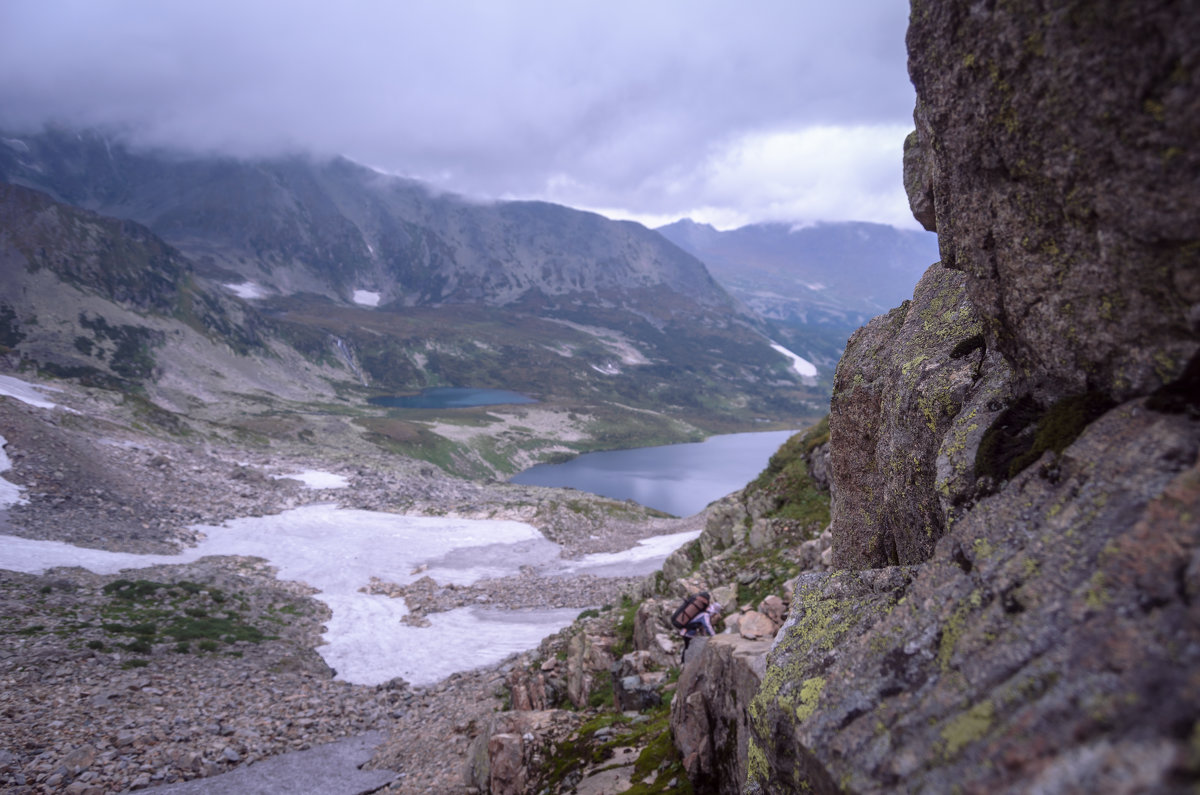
x=1064 y=159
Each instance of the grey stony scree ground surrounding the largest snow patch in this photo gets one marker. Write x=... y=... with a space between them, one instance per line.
x=129 y=680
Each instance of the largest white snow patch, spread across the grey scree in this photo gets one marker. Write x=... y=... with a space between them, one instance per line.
x=339 y=551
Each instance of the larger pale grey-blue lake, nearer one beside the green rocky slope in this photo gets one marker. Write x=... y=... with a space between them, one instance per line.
x=681 y=480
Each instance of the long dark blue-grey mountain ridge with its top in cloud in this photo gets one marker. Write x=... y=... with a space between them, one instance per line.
x=334 y=228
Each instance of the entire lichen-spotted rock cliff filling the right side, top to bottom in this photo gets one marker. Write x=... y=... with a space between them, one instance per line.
x=1015 y=452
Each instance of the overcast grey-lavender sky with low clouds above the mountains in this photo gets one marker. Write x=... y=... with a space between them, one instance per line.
x=725 y=112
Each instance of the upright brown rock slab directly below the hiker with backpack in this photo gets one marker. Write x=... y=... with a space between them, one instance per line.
x=710 y=713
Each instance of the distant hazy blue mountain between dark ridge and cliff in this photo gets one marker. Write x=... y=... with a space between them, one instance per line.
x=838 y=276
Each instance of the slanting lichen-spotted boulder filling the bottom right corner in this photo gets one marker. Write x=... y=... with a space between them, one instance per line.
x=1072 y=587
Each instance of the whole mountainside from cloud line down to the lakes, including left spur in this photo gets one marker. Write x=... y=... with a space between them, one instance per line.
x=238 y=284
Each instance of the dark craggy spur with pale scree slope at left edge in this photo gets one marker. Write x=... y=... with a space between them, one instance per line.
x=111 y=304
